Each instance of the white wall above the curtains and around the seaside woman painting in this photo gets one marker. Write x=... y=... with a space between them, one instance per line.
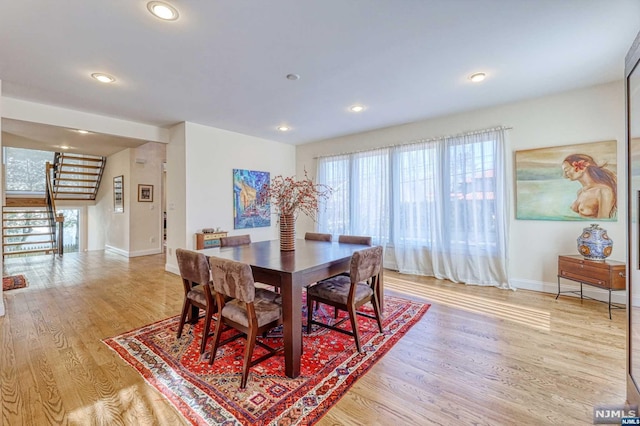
x=587 y=115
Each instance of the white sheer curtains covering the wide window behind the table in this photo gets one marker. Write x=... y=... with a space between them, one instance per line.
x=439 y=207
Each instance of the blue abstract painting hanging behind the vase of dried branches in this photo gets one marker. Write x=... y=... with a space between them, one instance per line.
x=247 y=212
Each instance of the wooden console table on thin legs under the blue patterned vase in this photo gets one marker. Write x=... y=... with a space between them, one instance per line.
x=606 y=274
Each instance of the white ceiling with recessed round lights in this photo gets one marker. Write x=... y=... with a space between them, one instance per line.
x=224 y=63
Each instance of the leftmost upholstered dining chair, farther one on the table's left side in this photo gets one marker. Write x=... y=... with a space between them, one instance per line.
x=194 y=270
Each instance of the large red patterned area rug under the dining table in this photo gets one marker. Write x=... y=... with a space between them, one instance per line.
x=210 y=395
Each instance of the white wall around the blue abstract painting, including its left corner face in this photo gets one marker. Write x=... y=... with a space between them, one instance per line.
x=210 y=155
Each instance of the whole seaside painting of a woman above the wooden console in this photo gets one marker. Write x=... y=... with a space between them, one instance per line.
x=571 y=182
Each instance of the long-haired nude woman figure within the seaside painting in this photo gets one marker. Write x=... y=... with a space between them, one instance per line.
x=597 y=197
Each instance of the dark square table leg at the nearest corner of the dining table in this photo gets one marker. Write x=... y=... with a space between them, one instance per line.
x=292 y=330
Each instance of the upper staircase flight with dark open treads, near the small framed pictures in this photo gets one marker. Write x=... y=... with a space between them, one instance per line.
x=77 y=177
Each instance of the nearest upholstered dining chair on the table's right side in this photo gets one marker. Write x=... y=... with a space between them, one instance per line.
x=348 y=293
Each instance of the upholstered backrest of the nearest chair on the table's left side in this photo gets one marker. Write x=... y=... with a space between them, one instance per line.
x=233 y=279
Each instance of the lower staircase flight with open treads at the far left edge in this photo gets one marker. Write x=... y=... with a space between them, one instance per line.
x=28 y=230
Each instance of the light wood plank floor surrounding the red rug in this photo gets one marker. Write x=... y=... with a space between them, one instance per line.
x=479 y=356
